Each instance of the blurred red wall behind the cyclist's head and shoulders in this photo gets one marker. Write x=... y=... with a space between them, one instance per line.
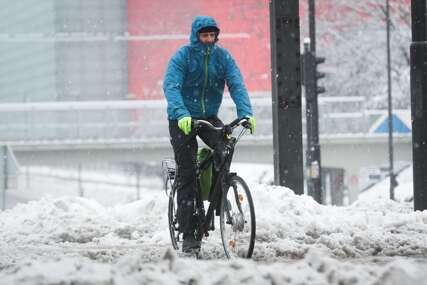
x=148 y=58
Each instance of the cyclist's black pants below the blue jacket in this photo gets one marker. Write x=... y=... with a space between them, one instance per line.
x=185 y=152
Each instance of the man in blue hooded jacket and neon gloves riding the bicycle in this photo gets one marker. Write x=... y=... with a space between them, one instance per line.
x=194 y=85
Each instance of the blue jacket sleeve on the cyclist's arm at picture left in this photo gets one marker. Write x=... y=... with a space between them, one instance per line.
x=172 y=84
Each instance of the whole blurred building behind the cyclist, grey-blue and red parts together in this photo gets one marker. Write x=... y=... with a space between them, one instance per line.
x=75 y=50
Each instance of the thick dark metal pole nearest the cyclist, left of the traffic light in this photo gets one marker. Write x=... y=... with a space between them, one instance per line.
x=286 y=94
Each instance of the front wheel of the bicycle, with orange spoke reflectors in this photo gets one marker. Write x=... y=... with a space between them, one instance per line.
x=237 y=220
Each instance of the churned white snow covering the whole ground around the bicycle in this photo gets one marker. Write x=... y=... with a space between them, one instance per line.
x=72 y=240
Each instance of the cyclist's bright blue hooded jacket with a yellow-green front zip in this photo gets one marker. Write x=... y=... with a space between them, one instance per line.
x=196 y=75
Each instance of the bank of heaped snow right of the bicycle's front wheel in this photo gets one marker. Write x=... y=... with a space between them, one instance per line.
x=288 y=225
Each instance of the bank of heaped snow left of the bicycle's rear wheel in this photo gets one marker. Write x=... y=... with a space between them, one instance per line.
x=79 y=220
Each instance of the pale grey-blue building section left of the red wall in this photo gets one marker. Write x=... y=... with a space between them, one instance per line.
x=62 y=50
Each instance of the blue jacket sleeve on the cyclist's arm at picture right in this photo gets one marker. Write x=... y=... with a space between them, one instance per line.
x=236 y=86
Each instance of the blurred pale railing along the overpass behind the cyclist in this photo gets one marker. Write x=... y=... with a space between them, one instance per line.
x=146 y=120
